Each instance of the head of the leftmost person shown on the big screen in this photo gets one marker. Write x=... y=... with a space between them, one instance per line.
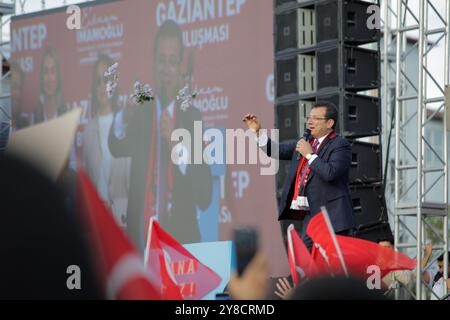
x=19 y=120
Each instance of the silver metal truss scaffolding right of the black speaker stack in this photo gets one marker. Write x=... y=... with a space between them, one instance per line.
x=420 y=204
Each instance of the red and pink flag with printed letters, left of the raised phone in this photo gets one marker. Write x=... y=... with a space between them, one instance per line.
x=182 y=275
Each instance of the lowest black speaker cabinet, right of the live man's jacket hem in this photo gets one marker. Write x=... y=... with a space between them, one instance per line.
x=369 y=205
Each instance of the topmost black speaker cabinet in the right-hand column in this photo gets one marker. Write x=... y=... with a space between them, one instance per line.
x=346 y=19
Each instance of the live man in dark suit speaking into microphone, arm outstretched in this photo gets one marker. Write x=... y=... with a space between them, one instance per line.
x=319 y=171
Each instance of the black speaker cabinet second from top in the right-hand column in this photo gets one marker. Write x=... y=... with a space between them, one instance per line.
x=349 y=68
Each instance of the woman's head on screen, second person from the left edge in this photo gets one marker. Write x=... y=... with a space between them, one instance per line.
x=50 y=75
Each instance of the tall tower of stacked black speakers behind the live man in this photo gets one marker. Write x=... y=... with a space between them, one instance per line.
x=326 y=51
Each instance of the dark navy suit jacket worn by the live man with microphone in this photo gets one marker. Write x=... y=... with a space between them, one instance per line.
x=327 y=183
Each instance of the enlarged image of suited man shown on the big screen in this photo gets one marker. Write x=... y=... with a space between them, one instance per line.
x=158 y=187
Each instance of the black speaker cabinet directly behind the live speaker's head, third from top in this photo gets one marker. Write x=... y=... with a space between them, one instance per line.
x=359 y=115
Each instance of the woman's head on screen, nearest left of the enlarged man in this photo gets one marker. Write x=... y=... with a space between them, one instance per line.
x=101 y=104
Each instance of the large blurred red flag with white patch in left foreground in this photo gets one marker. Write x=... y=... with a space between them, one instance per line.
x=119 y=264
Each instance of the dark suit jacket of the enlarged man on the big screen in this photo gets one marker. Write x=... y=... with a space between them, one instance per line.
x=189 y=191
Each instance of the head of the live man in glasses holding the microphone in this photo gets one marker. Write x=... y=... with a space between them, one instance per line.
x=322 y=119
